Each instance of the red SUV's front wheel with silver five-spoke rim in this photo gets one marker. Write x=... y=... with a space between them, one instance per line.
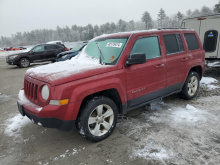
x=97 y=119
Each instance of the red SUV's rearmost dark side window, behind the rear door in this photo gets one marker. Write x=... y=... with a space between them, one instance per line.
x=191 y=41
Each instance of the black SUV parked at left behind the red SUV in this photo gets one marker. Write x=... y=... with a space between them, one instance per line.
x=39 y=53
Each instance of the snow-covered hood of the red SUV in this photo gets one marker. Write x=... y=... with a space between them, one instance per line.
x=66 y=71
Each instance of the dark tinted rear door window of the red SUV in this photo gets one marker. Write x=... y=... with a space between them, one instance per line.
x=173 y=43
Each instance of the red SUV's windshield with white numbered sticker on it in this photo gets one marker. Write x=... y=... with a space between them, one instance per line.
x=107 y=50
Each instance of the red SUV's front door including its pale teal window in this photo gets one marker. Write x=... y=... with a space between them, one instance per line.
x=146 y=81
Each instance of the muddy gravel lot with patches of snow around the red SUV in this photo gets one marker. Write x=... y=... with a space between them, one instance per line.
x=169 y=131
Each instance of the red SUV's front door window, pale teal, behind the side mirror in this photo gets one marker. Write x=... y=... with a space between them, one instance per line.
x=149 y=45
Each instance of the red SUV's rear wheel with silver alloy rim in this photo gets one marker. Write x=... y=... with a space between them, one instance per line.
x=191 y=86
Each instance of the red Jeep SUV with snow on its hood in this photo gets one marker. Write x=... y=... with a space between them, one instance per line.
x=114 y=74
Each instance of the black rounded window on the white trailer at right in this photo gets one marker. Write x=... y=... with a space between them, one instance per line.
x=210 y=41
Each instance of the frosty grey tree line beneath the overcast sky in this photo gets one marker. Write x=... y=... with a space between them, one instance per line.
x=85 y=33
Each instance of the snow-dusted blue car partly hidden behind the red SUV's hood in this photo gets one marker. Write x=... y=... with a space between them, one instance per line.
x=67 y=55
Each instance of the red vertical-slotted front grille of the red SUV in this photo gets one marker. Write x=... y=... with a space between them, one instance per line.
x=31 y=91
